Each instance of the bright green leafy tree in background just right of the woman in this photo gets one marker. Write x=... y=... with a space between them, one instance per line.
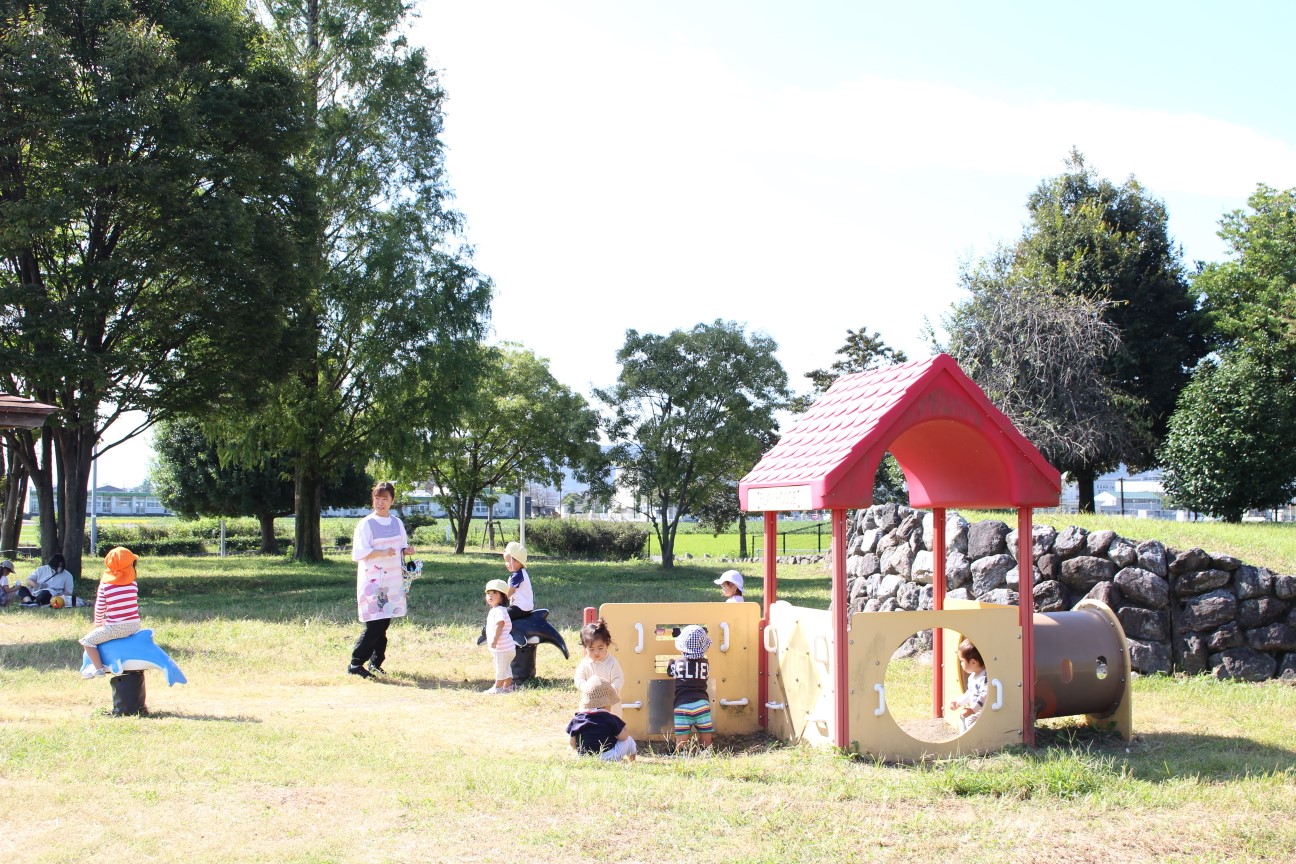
x=520 y=426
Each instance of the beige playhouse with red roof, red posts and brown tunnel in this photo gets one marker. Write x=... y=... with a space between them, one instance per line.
x=821 y=676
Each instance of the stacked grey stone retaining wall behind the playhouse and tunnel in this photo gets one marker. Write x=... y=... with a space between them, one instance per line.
x=1189 y=612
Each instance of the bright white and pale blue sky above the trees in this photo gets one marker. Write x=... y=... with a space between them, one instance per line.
x=813 y=168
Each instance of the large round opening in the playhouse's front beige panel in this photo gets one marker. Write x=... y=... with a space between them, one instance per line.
x=909 y=690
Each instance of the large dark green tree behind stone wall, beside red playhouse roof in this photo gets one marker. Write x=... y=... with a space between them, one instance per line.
x=1092 y=248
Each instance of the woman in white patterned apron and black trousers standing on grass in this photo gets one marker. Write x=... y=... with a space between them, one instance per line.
x=379 y=550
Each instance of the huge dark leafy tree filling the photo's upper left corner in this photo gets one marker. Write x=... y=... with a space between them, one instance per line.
x=145 y=266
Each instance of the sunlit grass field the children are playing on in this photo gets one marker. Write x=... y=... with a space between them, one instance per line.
x=273 y=755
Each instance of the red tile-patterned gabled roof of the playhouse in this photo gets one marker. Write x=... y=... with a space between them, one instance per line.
x=956 y=448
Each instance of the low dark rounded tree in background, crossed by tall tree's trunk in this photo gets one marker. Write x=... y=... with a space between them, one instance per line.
x=191 y=480
